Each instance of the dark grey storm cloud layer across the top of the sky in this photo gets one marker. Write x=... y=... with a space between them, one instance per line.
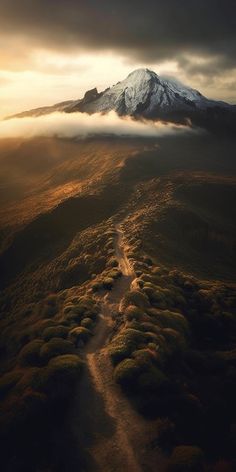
x=145 y=30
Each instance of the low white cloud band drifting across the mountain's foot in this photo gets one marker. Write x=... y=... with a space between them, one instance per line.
x=82 y=125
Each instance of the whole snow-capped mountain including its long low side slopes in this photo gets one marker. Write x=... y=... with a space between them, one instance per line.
x=144 y=94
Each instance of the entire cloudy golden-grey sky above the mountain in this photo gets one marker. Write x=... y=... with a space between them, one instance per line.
x=55 y=50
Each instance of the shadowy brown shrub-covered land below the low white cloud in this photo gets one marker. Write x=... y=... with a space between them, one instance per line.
x=118 y=303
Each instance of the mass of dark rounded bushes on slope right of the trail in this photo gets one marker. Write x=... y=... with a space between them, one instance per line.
x=177 y=332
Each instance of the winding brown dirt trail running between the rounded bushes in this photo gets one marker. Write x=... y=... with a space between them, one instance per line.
x=112 y=436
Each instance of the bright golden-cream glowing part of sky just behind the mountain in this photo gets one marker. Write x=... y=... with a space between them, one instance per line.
x=48 y=77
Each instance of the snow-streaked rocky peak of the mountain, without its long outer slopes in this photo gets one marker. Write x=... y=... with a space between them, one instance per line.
x=143 y=92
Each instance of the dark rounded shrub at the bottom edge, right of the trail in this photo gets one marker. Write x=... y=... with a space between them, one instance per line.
x=186 y=459
